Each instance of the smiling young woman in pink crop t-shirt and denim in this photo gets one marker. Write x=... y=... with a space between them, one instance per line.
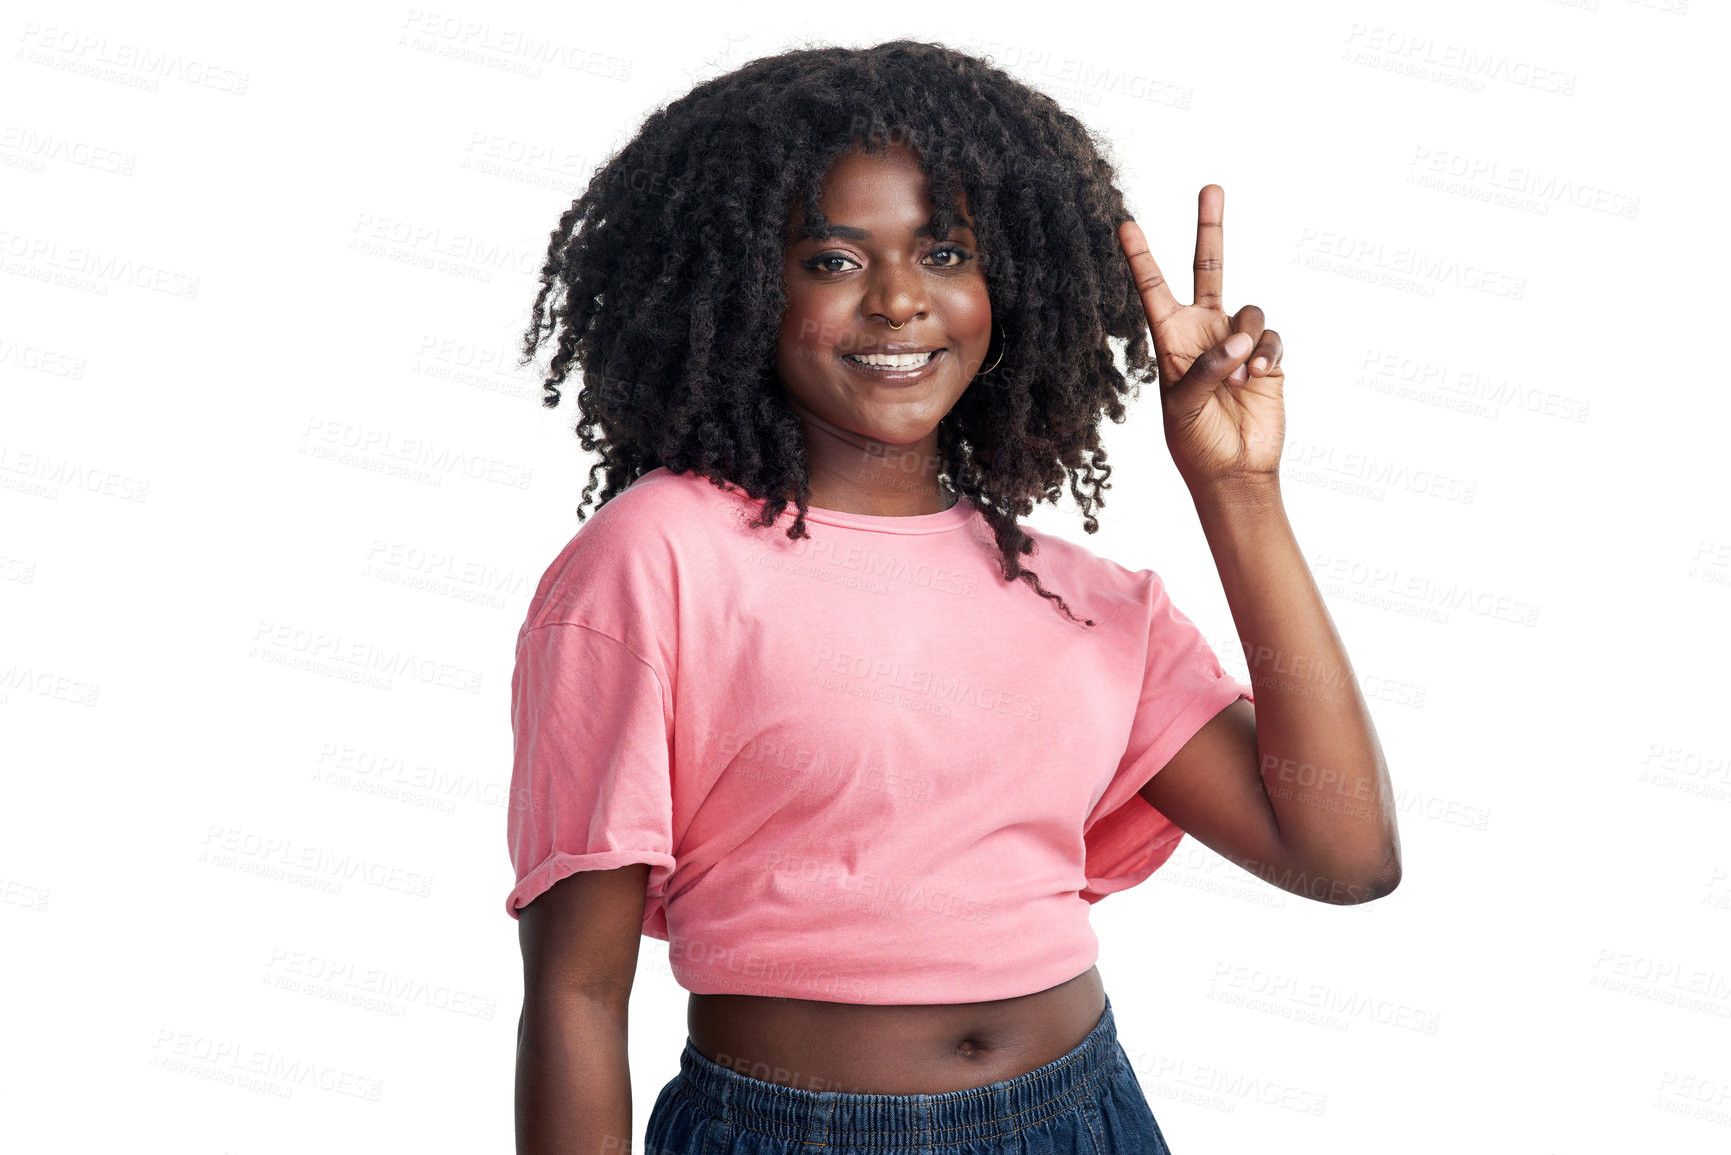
x=859 y=766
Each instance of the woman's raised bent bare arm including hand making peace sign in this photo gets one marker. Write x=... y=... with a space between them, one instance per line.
x=1296 y=789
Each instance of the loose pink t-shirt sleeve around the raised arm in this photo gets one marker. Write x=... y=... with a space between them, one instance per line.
x=1183 y=690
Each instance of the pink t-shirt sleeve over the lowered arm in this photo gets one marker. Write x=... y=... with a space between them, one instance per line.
x=591 y=780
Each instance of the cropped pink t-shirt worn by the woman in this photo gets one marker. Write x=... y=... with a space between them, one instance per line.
x=861 y=768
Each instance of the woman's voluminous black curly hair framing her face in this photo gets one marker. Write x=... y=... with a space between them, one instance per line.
x=666 y=280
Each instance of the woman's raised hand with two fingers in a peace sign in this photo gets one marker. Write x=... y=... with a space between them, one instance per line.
x=1223 y=420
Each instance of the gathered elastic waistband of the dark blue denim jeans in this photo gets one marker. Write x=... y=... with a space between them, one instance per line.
x=853 y=1120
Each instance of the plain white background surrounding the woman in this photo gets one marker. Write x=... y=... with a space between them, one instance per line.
x=1493 y=242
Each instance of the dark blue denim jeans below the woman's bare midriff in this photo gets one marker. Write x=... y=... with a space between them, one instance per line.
x=1081 y=1102
